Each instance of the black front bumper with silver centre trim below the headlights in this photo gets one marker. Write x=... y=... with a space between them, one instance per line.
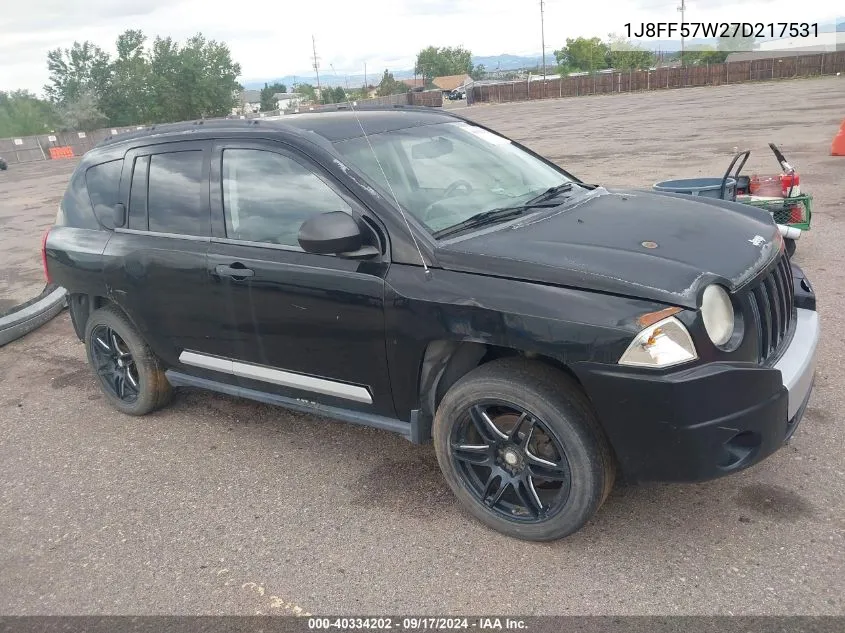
x=706 y=421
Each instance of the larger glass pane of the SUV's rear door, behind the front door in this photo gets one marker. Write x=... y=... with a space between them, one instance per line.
x=174 y=196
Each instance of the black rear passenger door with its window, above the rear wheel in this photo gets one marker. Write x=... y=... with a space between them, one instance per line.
x=156 y=264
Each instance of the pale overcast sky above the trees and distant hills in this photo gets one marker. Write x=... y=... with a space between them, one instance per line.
x=272 y=38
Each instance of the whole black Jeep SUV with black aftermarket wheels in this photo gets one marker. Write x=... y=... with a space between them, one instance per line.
x=412 y=271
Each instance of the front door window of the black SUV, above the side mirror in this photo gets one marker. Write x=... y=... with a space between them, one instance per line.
x=267 y=196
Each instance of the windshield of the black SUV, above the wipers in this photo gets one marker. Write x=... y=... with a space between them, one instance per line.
x=445 y=173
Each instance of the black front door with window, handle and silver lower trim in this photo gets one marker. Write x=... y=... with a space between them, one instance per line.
x=312 y=326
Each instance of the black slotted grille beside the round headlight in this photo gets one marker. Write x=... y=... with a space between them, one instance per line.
x=773 y=305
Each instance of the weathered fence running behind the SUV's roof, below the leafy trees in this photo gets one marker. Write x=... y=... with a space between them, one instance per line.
x=25 y=149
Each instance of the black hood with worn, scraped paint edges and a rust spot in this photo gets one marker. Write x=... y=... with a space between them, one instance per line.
x=664 y=247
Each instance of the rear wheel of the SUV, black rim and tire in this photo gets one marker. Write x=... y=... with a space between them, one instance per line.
x=130 y=375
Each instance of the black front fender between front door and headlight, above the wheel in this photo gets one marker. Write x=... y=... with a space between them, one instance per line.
x=565 y=324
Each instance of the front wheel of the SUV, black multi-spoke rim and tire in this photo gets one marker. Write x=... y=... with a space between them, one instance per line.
x=519 y=445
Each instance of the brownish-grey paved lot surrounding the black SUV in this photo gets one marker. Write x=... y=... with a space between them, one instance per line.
x=223 y=506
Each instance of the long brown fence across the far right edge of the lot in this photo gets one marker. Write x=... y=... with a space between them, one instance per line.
x=660 y=78
